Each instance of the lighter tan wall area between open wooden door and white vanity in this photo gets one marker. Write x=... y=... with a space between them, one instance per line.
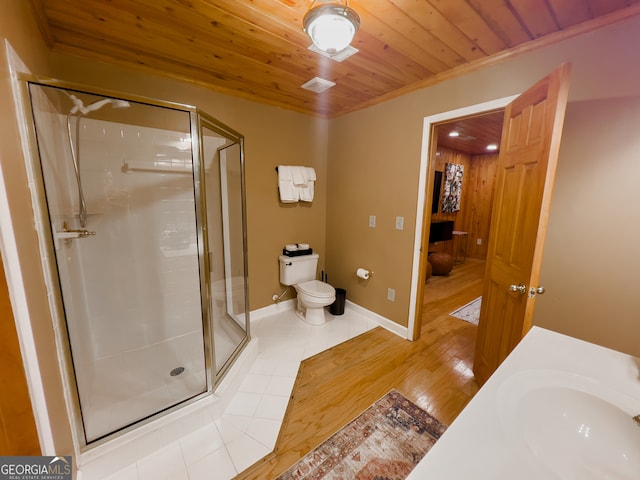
x=592 y=254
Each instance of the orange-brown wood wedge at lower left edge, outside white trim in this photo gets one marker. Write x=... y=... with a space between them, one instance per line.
x=18 y=435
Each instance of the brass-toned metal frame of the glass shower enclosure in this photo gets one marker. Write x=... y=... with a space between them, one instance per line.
x=198 y=121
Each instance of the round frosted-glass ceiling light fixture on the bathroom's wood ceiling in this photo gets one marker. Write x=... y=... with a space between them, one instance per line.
x=331 y=25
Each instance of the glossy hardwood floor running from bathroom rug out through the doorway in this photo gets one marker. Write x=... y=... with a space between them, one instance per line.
x=335 y=386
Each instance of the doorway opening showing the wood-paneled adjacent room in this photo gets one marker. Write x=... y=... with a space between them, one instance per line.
x=459 y=230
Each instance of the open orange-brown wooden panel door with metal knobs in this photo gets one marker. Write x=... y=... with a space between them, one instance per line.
x=526 y=171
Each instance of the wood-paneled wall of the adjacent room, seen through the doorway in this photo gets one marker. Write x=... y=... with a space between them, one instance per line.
x=476 y=204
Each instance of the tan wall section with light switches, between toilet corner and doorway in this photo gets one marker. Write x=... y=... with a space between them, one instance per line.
x=373 y=170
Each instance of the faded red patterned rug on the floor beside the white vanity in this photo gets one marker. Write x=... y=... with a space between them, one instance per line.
x=385 y=442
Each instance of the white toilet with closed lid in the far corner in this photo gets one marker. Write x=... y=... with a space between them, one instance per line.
x=313 y=295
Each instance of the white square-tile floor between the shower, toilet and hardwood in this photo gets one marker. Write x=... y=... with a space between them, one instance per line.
x=248 y=428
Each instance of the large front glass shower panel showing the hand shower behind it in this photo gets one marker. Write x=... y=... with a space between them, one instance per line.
x=119 y=186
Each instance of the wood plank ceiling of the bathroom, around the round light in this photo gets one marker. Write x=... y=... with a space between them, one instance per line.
x=256 y=49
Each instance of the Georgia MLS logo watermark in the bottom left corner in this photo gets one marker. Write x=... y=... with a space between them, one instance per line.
x=35 y=468
